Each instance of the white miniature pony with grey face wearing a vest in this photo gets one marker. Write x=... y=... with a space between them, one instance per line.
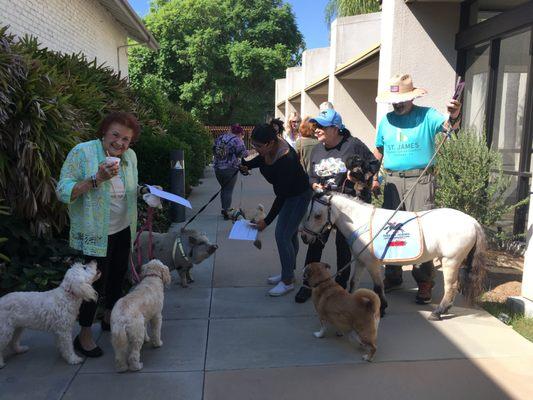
x=448 y=235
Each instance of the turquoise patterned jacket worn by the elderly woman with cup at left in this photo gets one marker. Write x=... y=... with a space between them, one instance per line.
x=89 y=213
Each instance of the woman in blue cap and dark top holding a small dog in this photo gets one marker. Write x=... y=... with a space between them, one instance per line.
x=335 y=142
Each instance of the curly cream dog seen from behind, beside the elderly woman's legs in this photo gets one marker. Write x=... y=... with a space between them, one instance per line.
x=132 y=313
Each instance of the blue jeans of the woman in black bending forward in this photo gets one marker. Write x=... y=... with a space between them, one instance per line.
x=289 y=218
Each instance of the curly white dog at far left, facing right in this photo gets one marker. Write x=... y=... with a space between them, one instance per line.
x=52 y=311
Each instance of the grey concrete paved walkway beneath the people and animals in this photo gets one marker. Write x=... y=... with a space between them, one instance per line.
x=224 y=338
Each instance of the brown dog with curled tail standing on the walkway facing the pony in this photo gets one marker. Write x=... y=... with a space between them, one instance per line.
x=350 y=313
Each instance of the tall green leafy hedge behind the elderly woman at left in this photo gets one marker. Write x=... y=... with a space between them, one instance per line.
x=49 y=102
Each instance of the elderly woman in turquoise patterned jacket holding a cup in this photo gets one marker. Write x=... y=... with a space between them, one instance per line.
x=99 y=182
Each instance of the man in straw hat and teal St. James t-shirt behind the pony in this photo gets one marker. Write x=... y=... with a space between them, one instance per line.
x=405 y=143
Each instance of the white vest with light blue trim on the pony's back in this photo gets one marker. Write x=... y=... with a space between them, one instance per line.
x=400 y=240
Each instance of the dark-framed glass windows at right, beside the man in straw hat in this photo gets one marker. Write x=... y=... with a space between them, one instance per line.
x=496 y=53
